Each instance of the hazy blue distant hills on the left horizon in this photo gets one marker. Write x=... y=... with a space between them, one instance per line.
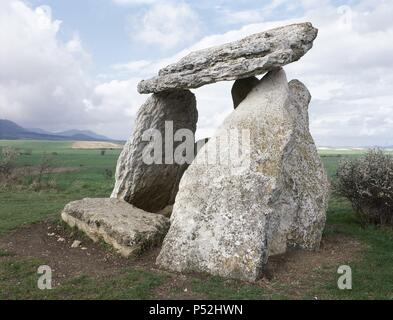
x=11 y=131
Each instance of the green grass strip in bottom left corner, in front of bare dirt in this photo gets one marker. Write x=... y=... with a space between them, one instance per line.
x=18 y=280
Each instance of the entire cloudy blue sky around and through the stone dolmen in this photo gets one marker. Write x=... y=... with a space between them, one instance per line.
x=68 y=64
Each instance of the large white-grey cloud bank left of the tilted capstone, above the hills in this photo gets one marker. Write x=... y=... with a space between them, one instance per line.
x=44 y=81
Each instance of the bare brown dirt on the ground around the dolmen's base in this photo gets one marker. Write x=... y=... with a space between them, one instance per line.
x=294 y=272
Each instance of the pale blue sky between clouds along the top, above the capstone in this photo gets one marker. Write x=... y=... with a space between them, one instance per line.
x=104 y=26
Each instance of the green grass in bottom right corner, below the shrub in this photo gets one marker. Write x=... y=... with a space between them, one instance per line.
x=373 y=275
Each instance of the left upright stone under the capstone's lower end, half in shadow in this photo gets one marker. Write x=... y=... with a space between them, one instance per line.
x=152 y=187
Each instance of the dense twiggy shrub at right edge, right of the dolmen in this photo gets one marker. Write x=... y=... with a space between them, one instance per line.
x=367 y=182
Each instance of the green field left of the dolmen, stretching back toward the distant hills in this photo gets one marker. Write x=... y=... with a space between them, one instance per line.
x=86 y=179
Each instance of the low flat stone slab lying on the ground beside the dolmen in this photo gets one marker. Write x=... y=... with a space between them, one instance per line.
x=128 y=229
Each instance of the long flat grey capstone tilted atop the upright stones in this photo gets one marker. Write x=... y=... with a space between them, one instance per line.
x=253 y=55
